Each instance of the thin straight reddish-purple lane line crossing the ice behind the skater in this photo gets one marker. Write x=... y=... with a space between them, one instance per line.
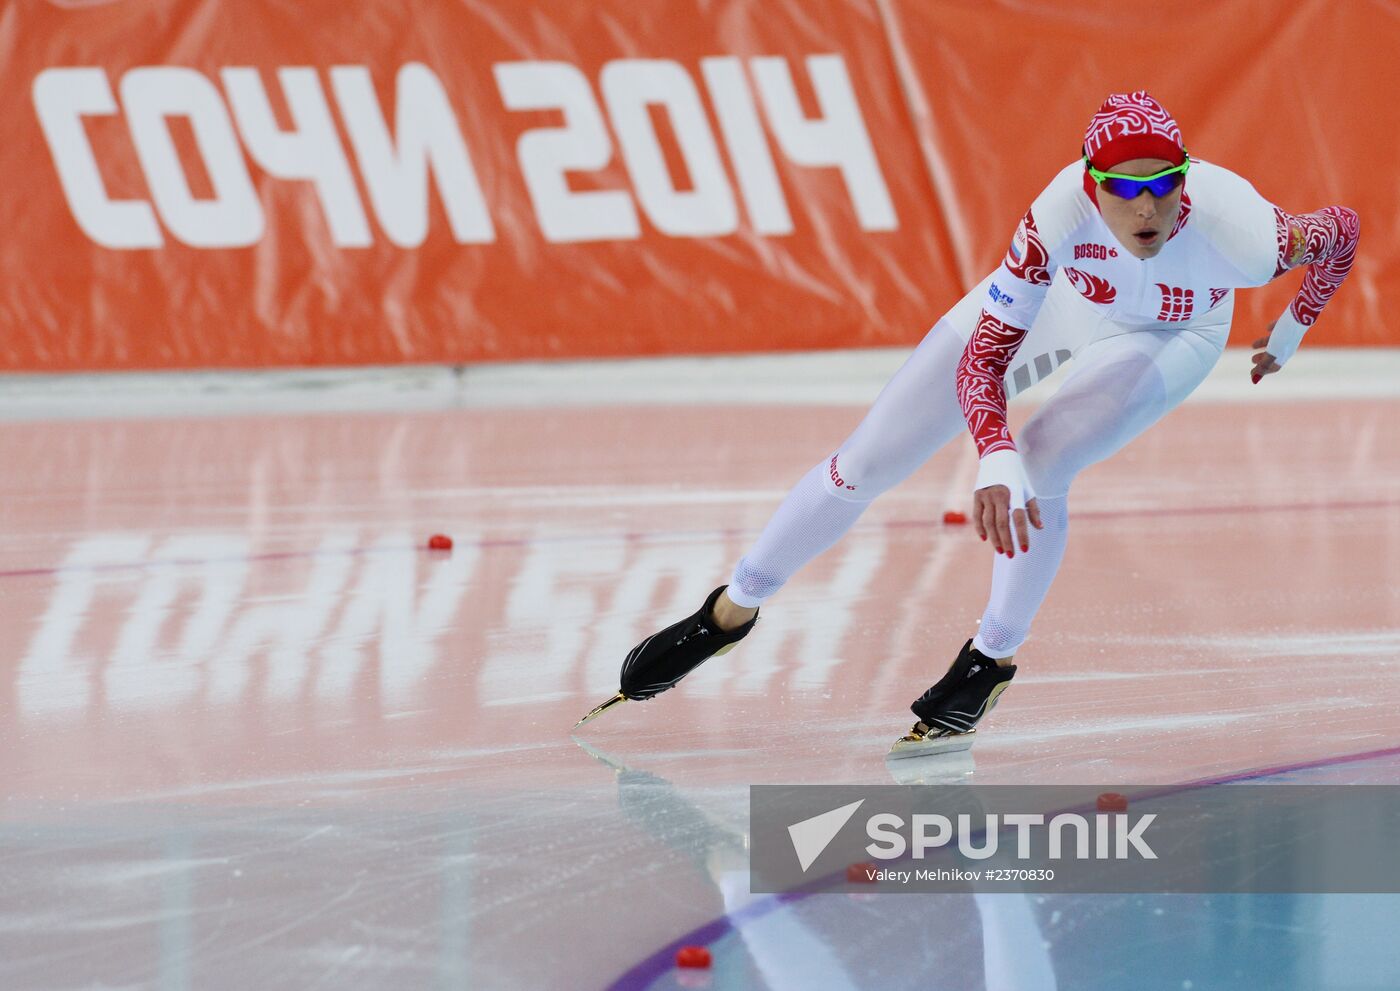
x=668 y=535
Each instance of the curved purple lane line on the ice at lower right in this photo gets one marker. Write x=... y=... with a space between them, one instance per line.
x=652 y=969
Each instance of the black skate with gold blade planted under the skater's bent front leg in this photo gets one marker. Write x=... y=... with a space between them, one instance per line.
x=950 y=712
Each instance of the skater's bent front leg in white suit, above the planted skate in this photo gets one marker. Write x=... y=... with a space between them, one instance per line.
x=1121 y=387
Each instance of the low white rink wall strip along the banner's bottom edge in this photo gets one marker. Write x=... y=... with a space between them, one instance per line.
x=813 y=379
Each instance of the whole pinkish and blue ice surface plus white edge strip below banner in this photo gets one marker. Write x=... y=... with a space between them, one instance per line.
x=257 y=736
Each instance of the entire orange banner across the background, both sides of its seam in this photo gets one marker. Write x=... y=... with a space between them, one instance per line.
x=205 y=184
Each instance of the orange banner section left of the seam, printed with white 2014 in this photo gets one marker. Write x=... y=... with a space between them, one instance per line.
x=260 y=184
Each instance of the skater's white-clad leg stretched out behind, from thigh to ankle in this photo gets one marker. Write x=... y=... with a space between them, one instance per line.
x=915 y=415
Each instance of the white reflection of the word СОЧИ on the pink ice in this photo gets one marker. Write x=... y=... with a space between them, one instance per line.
x=191 y=624
